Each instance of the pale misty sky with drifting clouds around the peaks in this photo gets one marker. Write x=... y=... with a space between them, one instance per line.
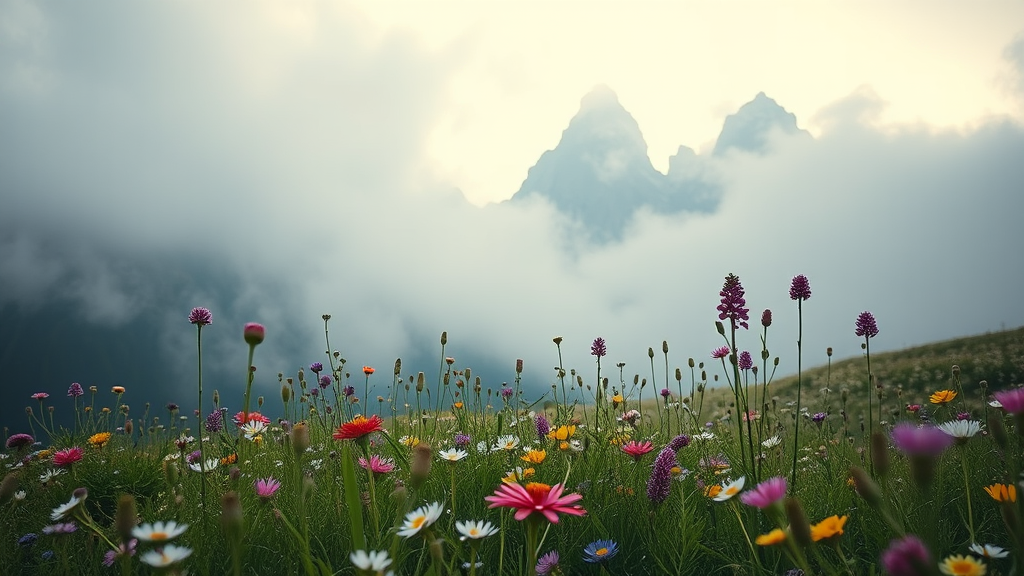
x=343 y=152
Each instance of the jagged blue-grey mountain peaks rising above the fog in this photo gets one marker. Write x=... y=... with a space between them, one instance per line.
x=601 y=174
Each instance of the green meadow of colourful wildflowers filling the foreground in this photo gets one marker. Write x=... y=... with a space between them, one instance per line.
x=709 y=468
